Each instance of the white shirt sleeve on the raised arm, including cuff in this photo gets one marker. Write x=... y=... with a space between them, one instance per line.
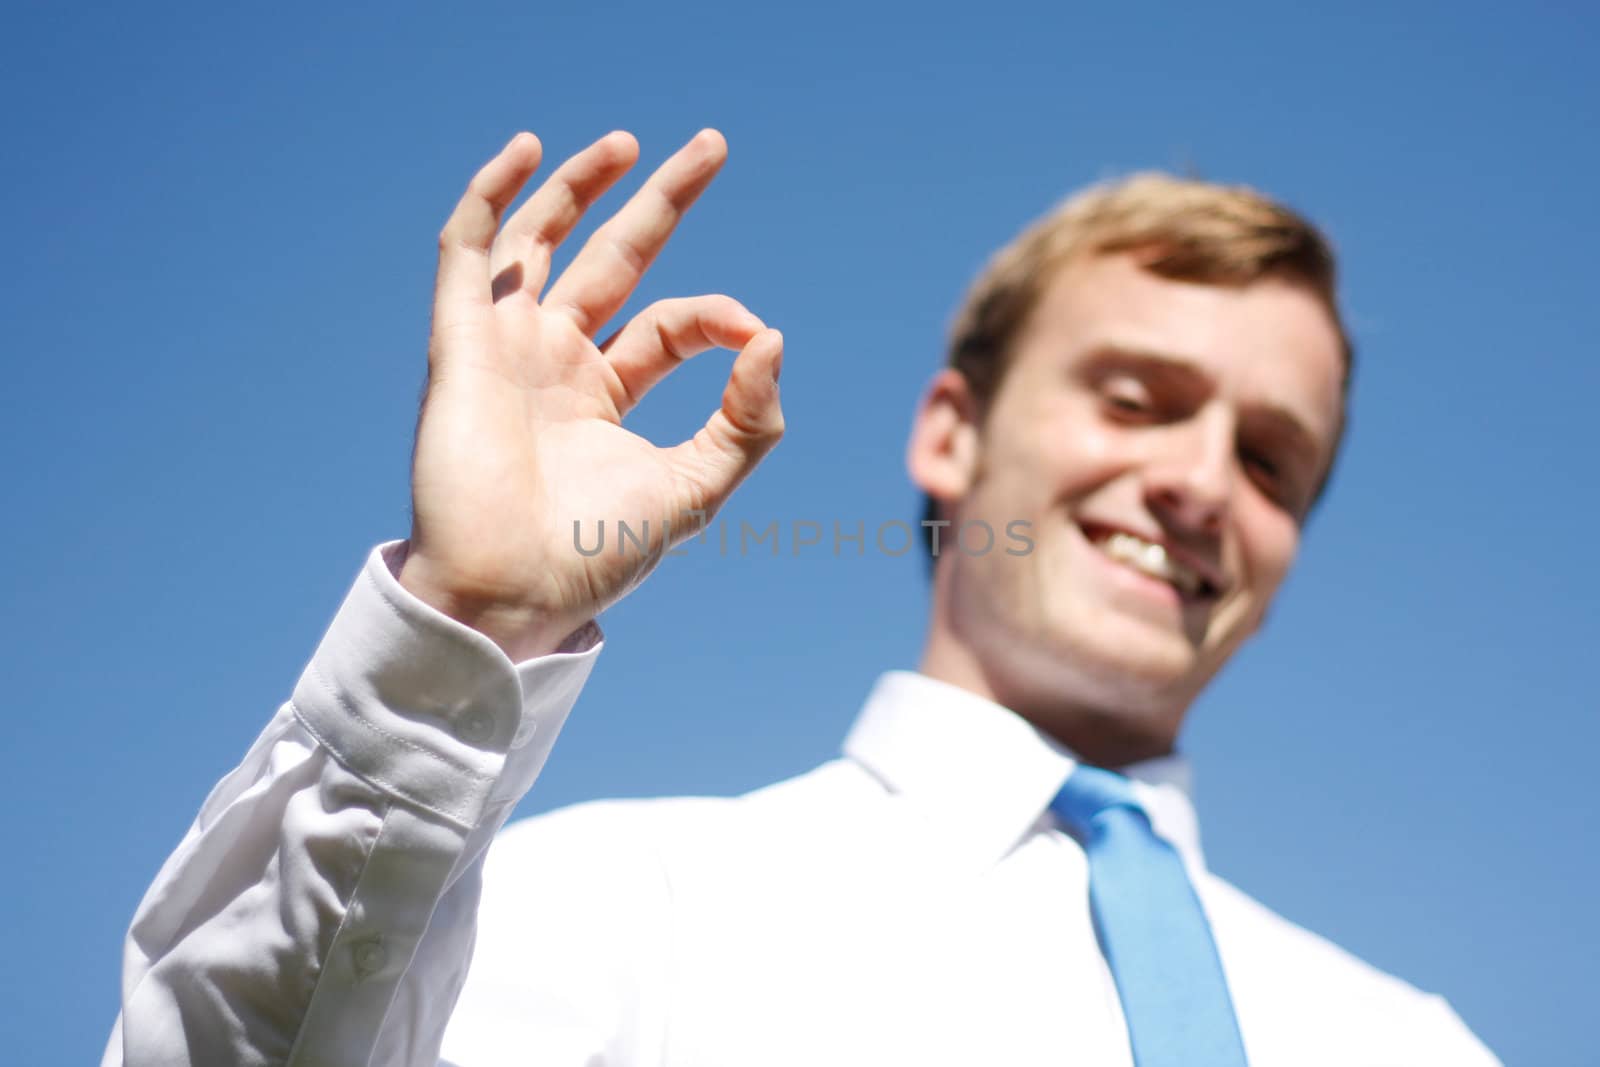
x=322 y=906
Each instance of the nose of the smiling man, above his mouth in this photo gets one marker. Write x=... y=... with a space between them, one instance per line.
x=1190 y=482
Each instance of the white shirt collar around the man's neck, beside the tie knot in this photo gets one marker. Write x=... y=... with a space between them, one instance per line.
x=986 y=775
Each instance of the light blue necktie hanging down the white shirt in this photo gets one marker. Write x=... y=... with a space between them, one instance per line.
x=1151 y=929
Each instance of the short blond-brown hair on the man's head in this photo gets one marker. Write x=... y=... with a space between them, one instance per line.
x=1180 y=228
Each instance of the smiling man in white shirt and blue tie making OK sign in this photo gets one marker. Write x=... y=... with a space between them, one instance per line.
x=1148 y=388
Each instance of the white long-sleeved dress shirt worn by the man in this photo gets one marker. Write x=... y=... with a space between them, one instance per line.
x=910 y=903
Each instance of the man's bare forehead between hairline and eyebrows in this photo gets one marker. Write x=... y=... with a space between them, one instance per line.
x=1268 y=343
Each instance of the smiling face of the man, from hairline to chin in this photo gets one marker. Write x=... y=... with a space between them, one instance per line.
x=1164 y=441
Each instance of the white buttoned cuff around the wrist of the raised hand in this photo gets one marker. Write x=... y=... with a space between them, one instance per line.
x=431 y=711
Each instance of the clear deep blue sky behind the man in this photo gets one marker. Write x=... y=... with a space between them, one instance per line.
x=215 y=308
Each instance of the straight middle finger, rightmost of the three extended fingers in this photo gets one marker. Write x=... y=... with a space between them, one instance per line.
x=612 y=263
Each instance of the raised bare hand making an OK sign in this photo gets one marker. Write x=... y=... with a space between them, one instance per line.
x=522 y=433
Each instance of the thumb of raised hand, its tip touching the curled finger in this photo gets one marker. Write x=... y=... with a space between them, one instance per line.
x=740 y=434
